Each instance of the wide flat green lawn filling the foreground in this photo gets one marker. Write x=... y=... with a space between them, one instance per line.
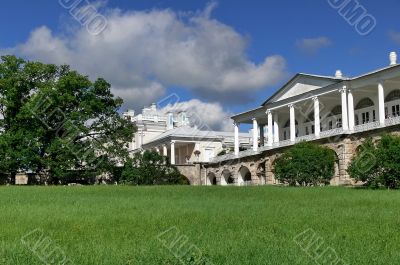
x=255 y=225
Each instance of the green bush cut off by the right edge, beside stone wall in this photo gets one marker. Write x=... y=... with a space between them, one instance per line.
x=378 y=164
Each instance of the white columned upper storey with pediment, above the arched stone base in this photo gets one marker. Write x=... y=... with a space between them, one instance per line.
x=311 y=107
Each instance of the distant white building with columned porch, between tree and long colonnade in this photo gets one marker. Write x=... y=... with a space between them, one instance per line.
x=171 y=135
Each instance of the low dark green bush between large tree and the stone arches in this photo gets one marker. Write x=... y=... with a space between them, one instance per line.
x=151 y=168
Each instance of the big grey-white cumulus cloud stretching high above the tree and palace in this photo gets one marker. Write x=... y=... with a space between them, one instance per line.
x=142 y=53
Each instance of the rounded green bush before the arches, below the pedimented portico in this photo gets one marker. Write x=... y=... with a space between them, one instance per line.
x=305 y=164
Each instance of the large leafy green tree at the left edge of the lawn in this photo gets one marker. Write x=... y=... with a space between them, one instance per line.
x=57 y=123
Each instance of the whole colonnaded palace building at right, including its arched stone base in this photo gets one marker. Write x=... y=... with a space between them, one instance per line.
x=335 y=111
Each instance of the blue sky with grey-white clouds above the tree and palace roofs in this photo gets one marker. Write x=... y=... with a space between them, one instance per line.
x=264 y=29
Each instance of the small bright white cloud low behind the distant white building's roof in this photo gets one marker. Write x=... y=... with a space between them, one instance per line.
x=207 y=116
